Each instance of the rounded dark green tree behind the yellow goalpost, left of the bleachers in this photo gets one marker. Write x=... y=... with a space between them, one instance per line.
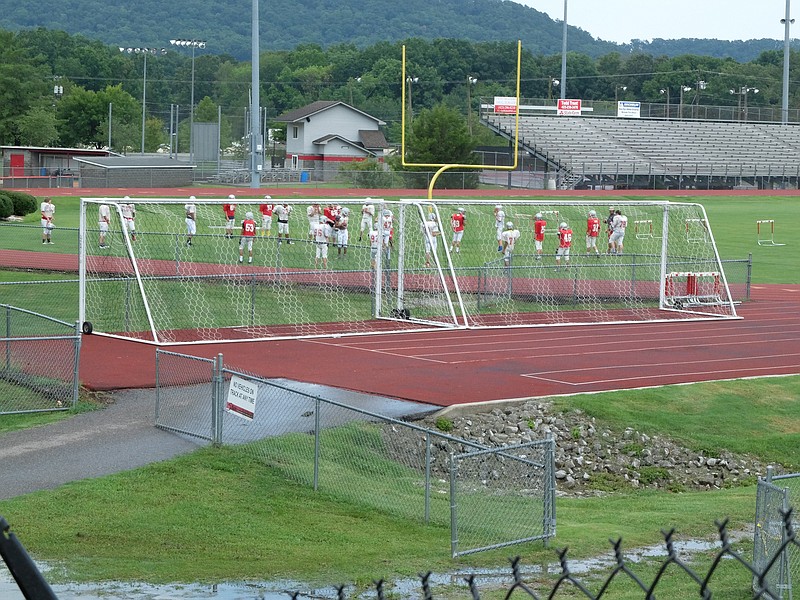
x=439 y=136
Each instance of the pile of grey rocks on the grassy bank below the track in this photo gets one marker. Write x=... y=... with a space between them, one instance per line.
x=591 y=459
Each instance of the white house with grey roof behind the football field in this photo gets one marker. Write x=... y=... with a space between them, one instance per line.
x=325 y=134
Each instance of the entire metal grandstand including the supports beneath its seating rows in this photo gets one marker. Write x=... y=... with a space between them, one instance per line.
x=607 y=152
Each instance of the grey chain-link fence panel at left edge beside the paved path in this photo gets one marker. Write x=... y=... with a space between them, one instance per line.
x=39 y=362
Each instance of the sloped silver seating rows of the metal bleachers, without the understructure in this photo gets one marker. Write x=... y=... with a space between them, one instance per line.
x=674 y=149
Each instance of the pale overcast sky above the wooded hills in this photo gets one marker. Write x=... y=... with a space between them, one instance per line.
x=623 y=20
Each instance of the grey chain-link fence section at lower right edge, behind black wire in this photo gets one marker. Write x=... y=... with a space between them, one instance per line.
x=778 y=560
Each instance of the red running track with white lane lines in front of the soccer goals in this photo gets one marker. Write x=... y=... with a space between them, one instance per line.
x=456 y=367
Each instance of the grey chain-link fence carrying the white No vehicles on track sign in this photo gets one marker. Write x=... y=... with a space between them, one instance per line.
x=488 y=497
